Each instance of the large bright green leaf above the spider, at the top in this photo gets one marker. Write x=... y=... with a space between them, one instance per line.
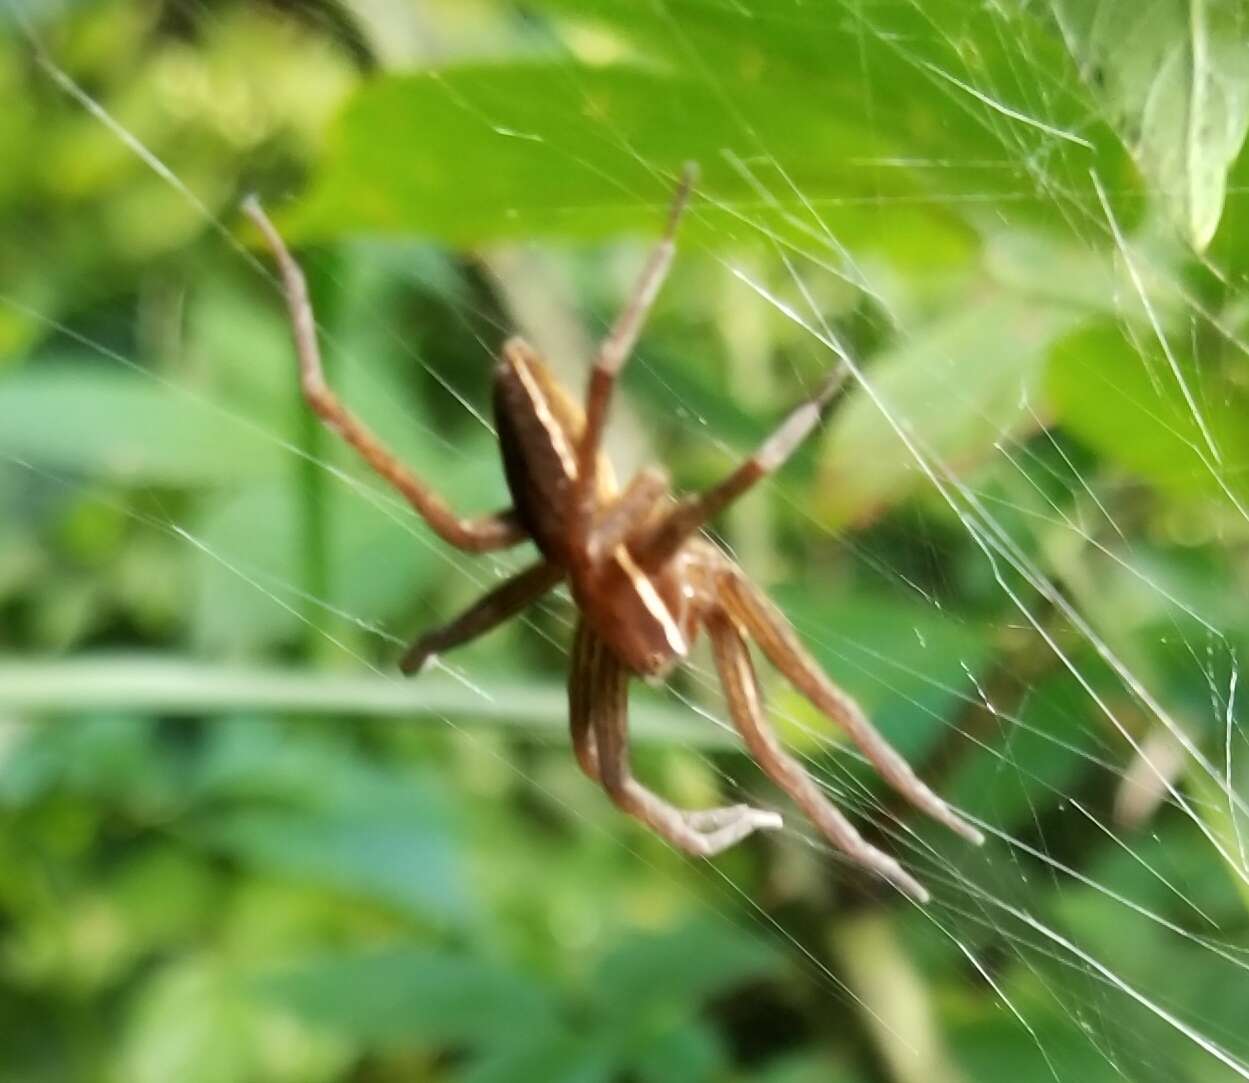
x=576 y=147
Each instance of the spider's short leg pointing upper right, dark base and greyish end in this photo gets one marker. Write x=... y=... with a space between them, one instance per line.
x=694 y=513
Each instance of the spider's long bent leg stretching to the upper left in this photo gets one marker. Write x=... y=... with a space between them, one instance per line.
x=491 y=533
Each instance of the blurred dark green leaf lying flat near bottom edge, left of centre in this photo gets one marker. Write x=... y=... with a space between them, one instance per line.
x=414 y=996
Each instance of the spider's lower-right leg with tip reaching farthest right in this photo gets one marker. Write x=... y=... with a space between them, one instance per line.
x=769 y=628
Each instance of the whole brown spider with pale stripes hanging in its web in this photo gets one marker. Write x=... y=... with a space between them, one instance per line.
x=644 y=576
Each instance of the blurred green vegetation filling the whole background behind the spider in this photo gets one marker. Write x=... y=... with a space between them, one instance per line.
x=235 y=848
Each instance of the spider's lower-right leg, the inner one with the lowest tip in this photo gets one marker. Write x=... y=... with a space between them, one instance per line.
x=741 y=688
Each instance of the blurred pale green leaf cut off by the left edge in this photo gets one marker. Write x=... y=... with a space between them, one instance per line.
x=104 y=422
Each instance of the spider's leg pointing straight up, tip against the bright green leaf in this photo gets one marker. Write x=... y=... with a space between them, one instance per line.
x=614 y=353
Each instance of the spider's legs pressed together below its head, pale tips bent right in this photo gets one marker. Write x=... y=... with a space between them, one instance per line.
x=599 y=705
